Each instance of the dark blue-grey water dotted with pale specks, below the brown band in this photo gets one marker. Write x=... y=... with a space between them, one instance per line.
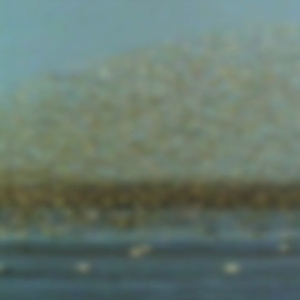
x=208 y=256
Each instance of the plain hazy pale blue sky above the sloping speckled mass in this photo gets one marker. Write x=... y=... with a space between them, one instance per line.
x=57 y=35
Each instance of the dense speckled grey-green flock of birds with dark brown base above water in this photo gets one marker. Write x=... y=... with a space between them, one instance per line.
x=176 y=121
